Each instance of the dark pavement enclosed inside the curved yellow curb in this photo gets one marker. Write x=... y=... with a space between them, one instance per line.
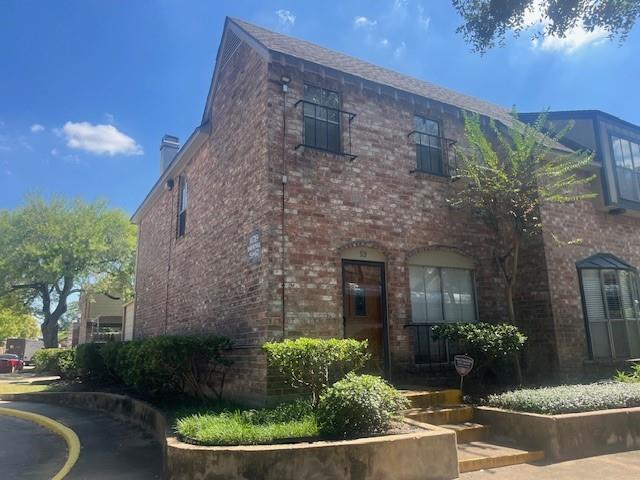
x=29 y=451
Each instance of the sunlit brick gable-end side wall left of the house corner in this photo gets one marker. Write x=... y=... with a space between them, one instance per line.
x=203 y=282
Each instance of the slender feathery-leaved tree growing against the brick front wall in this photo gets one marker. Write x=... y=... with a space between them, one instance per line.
x=506 y=187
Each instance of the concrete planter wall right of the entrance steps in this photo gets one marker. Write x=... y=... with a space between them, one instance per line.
x=568 y=436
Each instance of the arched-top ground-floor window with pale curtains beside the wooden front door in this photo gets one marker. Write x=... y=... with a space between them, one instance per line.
x=442 y=288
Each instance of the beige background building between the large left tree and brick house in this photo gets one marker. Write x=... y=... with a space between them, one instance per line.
x=100 y=318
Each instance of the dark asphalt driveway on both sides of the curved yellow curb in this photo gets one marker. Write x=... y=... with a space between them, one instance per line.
x=109 y=449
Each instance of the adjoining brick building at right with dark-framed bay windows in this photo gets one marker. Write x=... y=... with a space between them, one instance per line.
x=594 y=285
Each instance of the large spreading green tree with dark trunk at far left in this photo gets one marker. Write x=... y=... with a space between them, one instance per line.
x=50 y=251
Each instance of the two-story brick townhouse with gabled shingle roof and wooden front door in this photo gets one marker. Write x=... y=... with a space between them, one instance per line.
x=311 y=201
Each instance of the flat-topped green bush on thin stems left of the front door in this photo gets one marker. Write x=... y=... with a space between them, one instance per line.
x=313 y=363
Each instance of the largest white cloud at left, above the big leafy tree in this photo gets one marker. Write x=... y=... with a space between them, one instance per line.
x=99 y=139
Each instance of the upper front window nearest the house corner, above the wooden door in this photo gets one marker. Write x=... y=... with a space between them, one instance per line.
x=321 y=118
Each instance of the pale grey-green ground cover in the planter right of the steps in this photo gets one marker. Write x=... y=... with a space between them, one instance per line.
x=569 y=398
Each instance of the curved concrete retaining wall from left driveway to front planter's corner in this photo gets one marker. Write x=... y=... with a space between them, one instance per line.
x=427 y=454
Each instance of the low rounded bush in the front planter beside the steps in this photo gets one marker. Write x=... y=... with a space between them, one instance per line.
x=359 y=405
